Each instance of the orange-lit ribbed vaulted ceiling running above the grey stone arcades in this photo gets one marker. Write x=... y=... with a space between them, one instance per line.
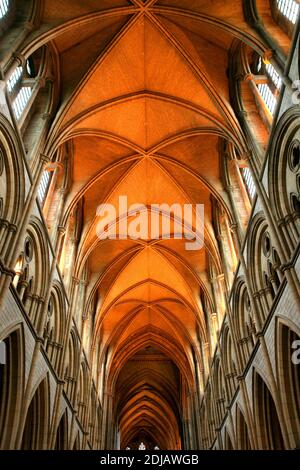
x=145 y=103
